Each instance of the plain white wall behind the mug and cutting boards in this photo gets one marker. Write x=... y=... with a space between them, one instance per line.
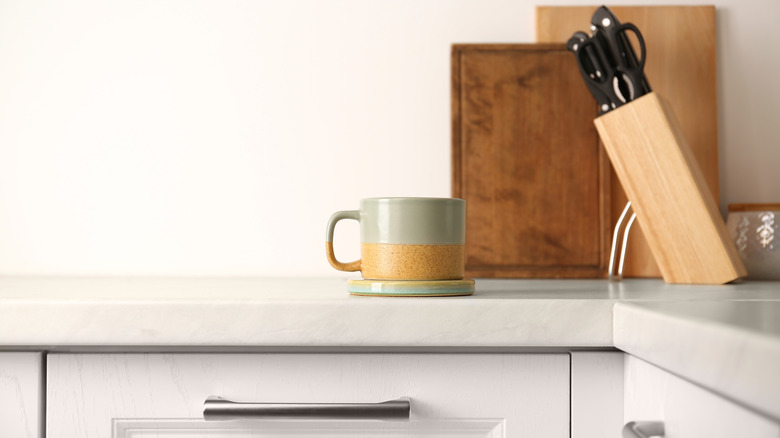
x=189 y=137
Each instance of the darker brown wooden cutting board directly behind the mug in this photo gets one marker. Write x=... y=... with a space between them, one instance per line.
x=526 y=158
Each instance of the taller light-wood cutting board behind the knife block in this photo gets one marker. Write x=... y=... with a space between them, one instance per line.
x=681 y=66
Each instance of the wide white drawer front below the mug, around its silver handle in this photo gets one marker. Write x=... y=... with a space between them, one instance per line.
x=135 y=395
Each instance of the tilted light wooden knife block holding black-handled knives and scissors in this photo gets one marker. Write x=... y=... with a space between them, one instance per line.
x=669 y=194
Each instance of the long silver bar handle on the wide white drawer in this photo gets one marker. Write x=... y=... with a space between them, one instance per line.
x=218 y=408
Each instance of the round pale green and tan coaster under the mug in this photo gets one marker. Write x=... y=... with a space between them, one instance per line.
x=410 y=288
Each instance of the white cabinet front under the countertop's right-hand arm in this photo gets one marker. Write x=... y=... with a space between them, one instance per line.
x=687 y=410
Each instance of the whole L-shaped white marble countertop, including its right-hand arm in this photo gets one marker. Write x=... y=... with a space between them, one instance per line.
x=726 y=338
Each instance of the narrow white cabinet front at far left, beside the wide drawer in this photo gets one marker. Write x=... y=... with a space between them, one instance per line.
x=21 y=395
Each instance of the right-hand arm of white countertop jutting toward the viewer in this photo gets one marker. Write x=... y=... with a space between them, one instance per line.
x=725 y=357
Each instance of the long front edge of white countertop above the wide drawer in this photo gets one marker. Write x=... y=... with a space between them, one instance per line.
x=389 y=323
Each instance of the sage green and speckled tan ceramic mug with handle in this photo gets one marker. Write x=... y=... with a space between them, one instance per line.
x=406 y=238
